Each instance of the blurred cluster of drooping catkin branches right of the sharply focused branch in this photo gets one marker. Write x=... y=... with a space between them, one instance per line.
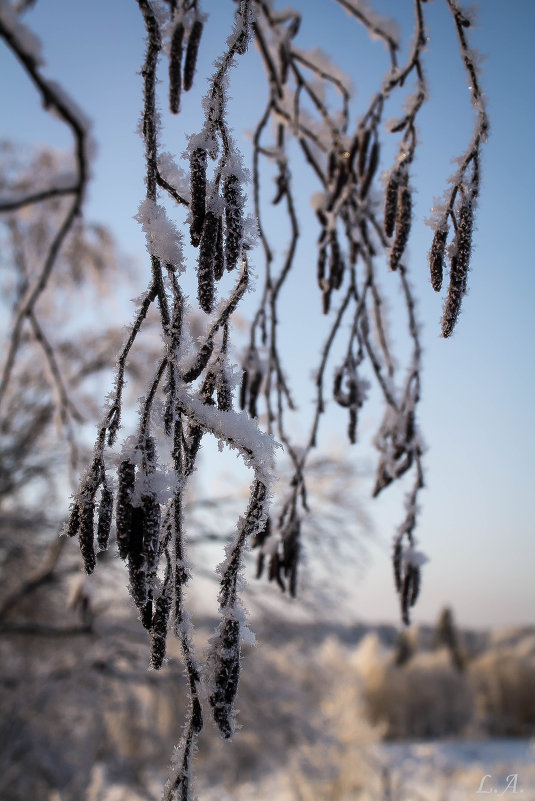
x=350 y=242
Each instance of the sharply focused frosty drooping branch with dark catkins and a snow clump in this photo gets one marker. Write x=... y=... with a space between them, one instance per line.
x=194 y=400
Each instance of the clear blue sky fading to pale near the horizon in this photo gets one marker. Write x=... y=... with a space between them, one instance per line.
x=477 y=522
